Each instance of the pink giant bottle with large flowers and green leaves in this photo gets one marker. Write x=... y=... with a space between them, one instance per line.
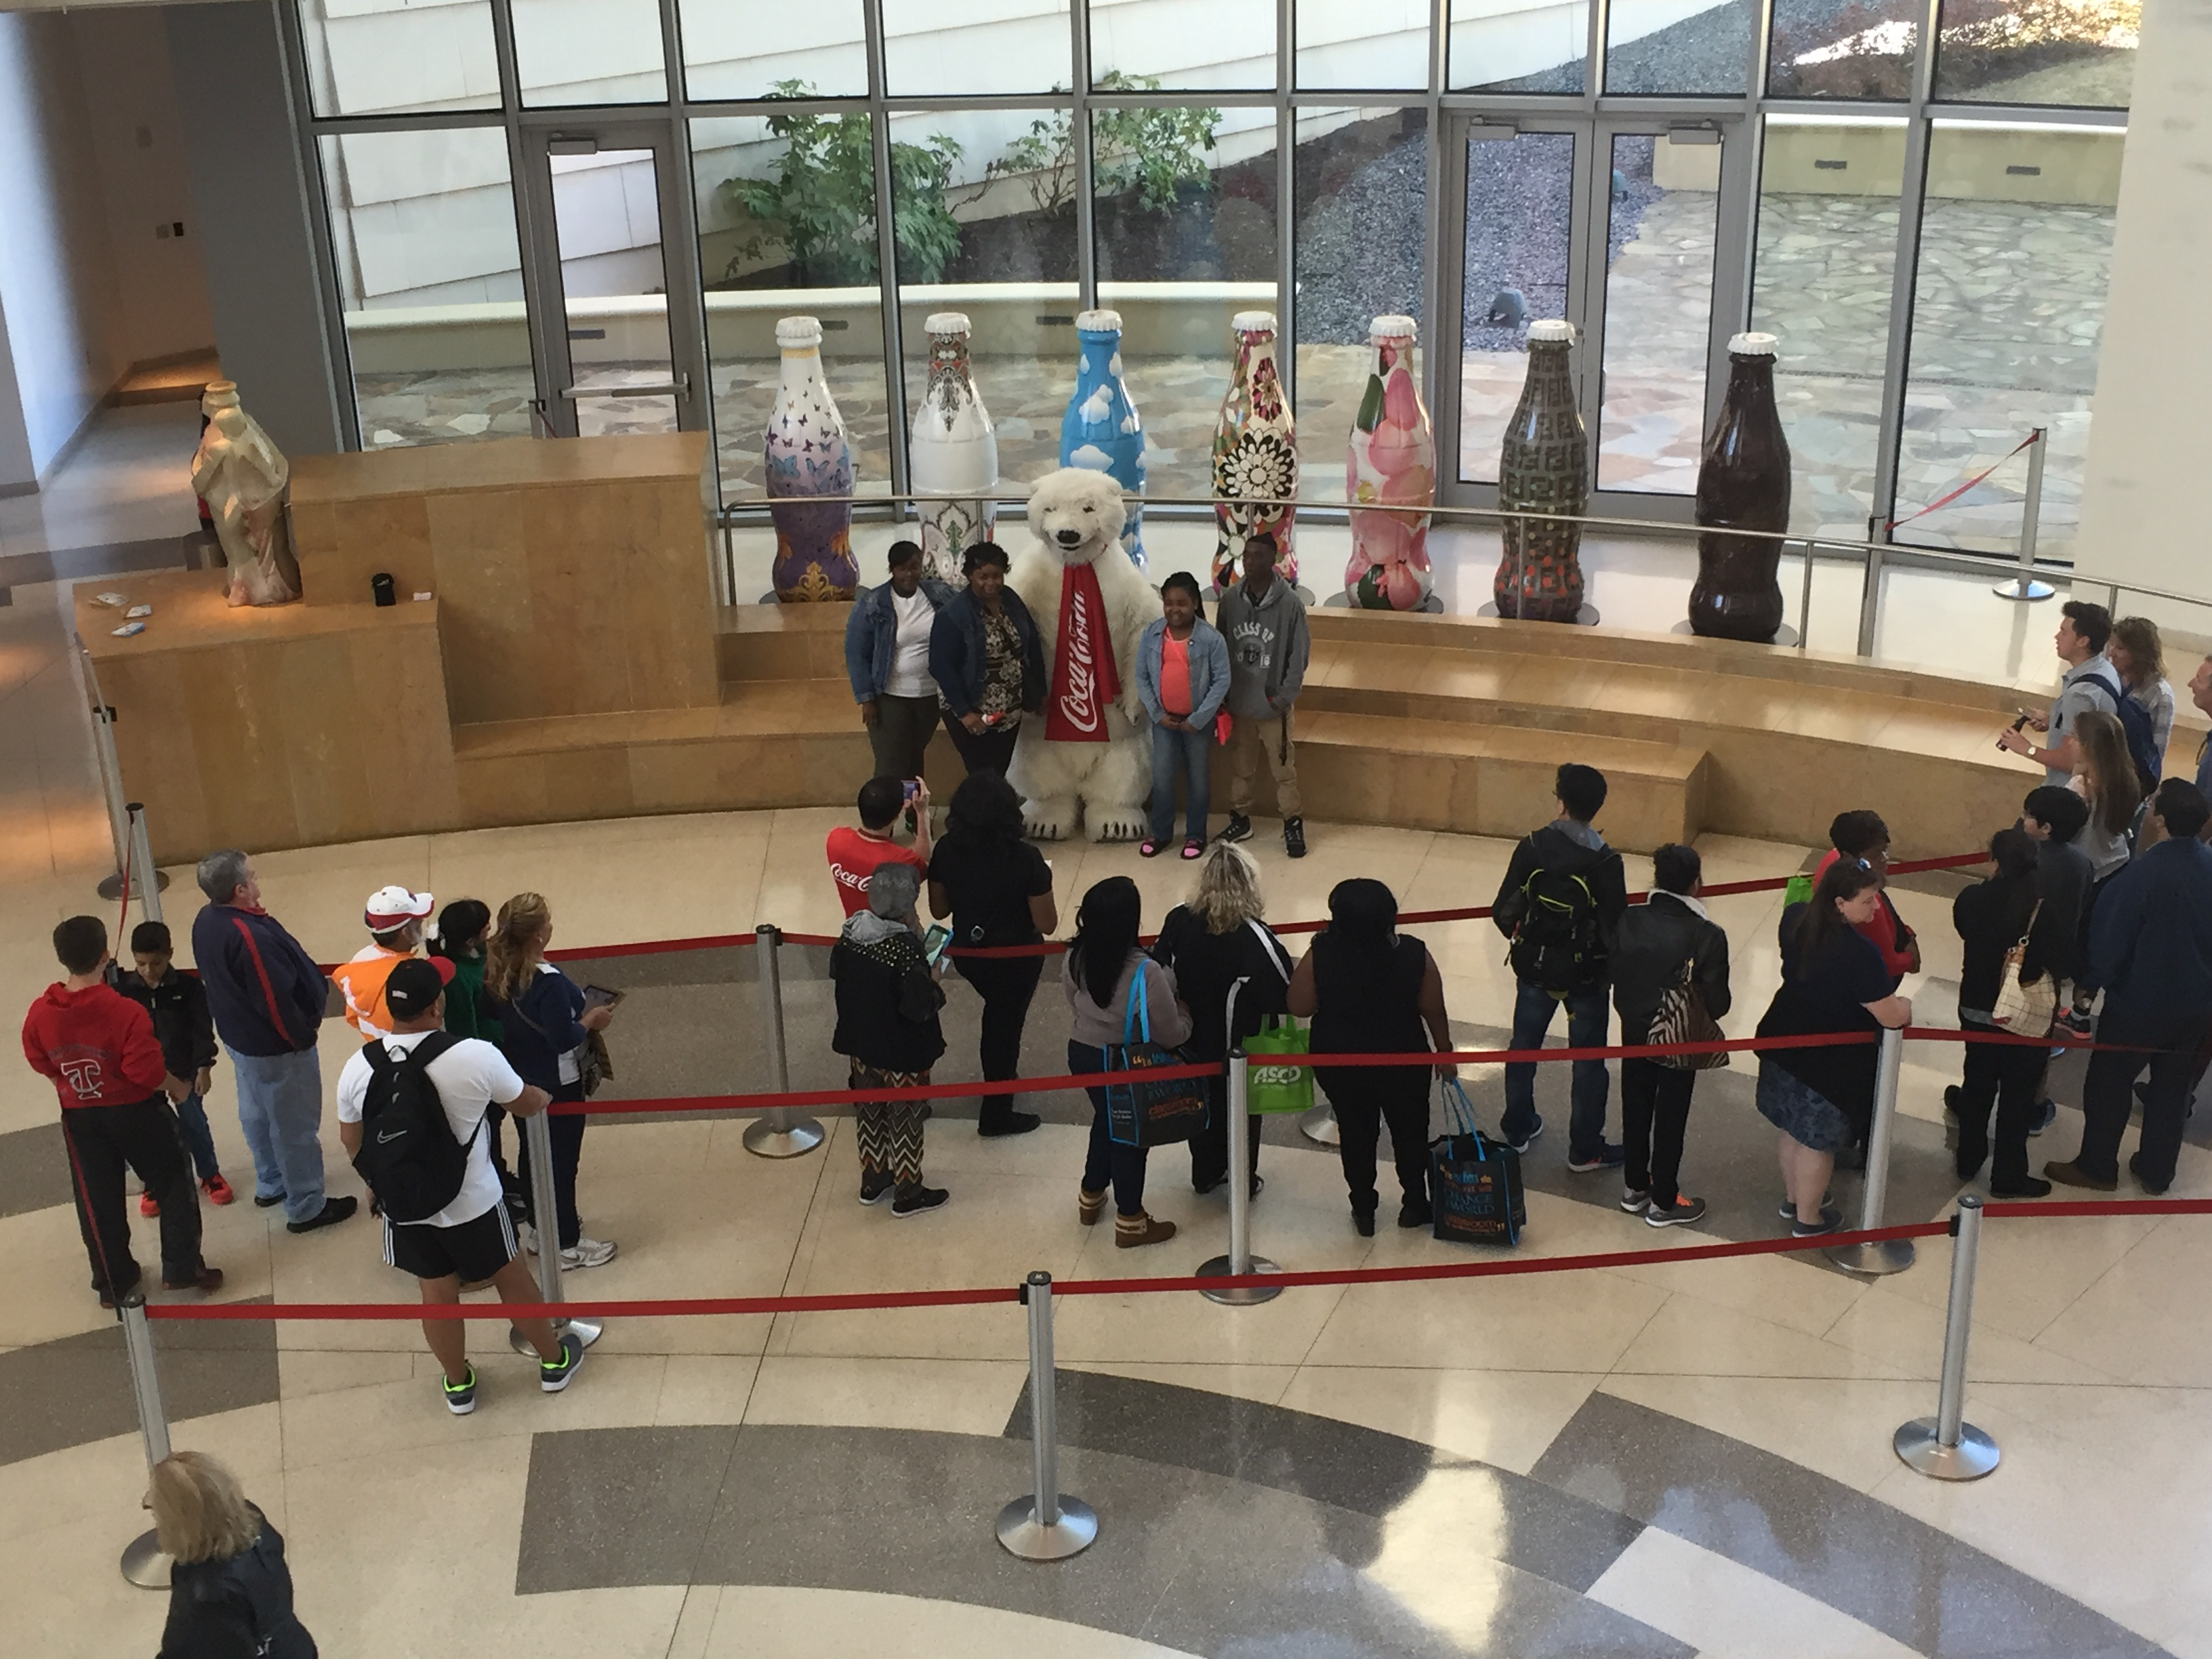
x=1392 y=463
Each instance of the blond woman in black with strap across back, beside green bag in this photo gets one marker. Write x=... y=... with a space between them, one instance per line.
x=1222 y=950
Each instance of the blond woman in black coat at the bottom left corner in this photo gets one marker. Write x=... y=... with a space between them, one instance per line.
x=229 y=1592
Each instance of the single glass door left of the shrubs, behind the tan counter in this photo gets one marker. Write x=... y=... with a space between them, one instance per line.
x=618 y=342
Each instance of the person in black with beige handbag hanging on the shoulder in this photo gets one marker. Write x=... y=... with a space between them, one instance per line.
x=1992 y=919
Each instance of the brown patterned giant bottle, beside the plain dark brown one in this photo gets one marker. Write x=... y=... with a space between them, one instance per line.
x=1545 y=468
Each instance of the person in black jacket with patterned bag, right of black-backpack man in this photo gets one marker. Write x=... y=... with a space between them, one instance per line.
x=1658 y=939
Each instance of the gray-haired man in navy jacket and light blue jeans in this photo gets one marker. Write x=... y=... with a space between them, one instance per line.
x=267 y=997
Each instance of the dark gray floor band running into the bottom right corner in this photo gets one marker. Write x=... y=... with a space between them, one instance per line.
x=1928 y=1589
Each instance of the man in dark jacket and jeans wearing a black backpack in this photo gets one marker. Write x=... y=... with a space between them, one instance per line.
x=1561 y=904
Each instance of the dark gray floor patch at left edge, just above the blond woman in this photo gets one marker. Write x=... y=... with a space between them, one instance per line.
x=79 y=1388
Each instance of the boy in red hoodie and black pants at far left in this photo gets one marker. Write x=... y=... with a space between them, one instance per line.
x=107 y=1067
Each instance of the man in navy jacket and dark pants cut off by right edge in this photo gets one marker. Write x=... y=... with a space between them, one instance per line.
x=2151 y=954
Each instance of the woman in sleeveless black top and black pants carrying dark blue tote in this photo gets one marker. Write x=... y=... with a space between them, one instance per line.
x=1375 y=990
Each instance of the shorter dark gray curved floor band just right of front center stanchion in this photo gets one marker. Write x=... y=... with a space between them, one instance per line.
x=1344 y=1465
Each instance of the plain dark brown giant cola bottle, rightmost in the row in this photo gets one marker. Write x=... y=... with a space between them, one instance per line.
x=1742 y=483
